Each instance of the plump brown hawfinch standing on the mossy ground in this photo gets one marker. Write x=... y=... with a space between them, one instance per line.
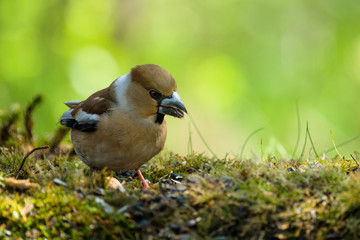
x=122 y=127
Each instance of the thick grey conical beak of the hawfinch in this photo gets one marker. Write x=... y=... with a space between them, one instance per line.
x=172 y=106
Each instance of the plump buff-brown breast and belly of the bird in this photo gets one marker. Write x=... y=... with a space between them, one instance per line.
x=120 y=142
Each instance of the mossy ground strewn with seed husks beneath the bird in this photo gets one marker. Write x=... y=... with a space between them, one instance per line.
x=191 y=197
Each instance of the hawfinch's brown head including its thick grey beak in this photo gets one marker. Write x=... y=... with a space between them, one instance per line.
x=153 y=93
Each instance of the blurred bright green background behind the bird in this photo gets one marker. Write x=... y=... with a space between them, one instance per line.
x=240 y=64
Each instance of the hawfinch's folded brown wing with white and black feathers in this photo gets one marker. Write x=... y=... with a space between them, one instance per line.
x=84 y=115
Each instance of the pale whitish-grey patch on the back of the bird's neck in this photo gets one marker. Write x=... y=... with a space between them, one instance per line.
x=121 y=86
